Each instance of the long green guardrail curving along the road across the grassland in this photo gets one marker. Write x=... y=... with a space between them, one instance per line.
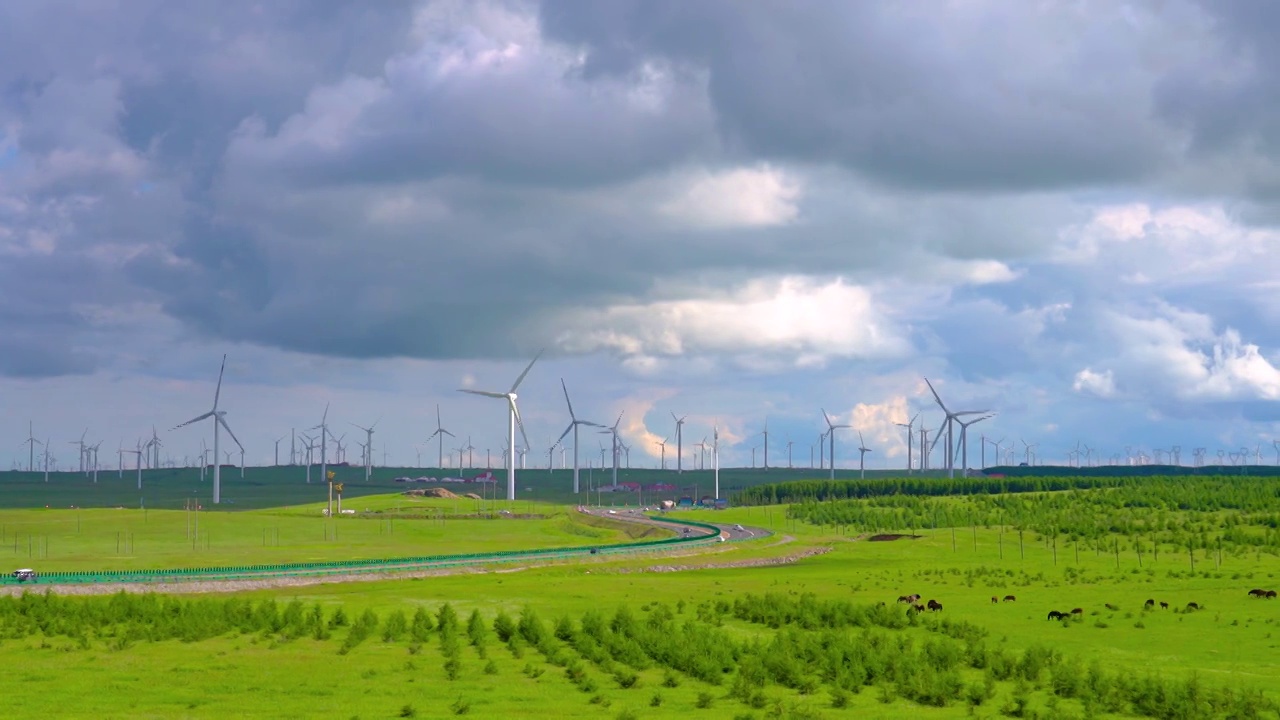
x=367 y=566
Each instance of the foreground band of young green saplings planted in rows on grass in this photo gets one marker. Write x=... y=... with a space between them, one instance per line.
x=831 y=646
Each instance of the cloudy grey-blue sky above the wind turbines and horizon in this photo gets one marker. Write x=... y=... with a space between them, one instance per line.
x=1066 y=213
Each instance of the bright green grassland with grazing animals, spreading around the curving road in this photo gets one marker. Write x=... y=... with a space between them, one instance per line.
x=975 y=659
